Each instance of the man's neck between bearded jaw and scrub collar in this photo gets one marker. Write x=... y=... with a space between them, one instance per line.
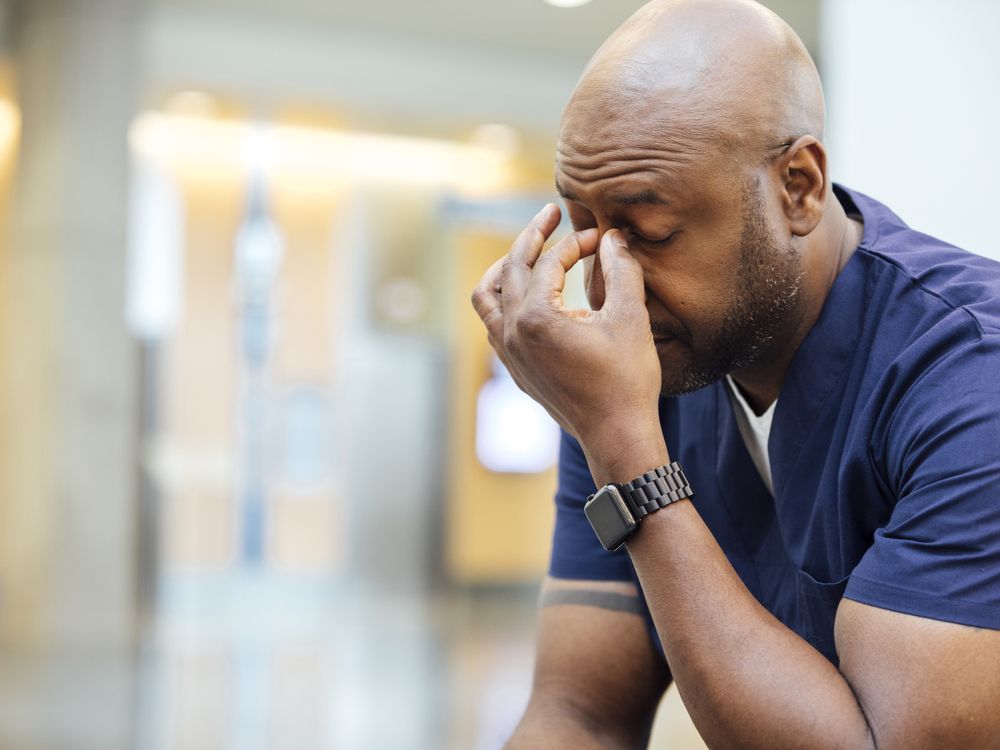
x=826 y=251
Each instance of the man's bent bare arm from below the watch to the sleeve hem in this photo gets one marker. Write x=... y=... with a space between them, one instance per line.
x=748 y=681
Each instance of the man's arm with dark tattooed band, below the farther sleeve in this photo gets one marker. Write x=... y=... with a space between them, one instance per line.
x=598 y=678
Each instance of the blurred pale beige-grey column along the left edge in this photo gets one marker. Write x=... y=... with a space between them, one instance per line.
x=69 y=369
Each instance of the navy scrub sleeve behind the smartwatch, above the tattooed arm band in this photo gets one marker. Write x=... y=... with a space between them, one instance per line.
x=576 y=552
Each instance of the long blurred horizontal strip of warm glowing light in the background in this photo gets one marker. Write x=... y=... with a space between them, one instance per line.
x=201 y=143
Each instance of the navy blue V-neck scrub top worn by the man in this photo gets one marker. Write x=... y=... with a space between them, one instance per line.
x=885 y=450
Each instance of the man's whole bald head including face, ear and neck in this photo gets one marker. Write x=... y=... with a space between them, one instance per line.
x=696 y=131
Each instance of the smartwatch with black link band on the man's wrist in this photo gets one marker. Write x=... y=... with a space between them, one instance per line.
x=615 y=510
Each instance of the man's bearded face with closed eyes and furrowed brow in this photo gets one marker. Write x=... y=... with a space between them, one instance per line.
x=721 y=282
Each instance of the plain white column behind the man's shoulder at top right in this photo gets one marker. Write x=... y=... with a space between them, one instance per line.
x=913 y=94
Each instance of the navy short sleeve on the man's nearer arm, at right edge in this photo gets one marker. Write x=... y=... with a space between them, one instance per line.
x=938 y=556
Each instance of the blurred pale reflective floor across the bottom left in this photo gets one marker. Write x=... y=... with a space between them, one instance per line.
x=258 y=662
